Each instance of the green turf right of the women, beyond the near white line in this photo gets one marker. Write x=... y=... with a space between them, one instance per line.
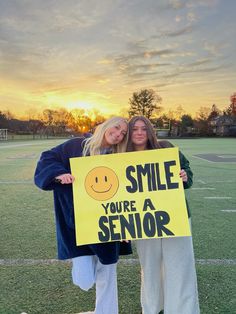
x=213 y=229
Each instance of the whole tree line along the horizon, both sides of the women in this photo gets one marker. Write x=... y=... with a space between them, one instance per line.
x=61 y=122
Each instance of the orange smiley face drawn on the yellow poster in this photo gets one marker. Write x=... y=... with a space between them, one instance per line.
x=101 y=183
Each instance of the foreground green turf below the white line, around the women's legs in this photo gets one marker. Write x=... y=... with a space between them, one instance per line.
x=48 y=289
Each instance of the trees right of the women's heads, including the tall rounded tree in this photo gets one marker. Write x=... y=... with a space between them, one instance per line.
x=208 y=121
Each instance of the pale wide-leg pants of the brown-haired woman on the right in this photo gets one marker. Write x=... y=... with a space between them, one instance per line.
x=168 y=276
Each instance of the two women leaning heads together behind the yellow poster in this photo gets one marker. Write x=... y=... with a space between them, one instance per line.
x=168 y=267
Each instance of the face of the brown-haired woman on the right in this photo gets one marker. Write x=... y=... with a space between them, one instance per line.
x=139 y=135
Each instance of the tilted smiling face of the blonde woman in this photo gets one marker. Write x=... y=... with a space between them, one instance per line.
x=115 y=134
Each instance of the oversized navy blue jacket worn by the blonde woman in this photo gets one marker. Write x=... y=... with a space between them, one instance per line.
x=53 y=163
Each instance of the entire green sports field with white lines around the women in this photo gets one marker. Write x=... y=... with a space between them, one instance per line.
x=30 y=283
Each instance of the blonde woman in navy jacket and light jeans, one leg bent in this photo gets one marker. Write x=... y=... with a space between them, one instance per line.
x=95 y=263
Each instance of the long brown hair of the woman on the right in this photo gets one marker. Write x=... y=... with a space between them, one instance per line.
x=152 y=138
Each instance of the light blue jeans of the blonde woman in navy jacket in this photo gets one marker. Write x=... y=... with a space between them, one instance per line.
x=87 y=271
